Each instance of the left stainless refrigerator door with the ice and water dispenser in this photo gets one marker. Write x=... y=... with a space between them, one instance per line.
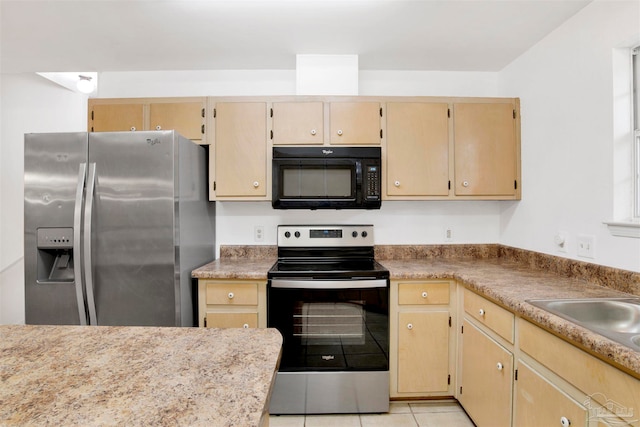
x=51 y=175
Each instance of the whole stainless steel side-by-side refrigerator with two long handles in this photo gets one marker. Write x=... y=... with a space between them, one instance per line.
x=114 y=223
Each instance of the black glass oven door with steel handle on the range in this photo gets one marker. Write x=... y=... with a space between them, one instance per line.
x=331 y=325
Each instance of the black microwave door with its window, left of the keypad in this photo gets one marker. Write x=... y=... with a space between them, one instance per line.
x=315 y=183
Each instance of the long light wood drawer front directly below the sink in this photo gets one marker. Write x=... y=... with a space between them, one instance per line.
x=605 y=385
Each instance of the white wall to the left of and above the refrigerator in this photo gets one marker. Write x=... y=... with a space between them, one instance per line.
x=29 y=104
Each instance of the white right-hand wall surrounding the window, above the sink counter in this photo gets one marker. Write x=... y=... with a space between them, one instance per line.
x=566 y=87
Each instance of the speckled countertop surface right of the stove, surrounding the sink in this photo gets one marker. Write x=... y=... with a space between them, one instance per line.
x=510 y=284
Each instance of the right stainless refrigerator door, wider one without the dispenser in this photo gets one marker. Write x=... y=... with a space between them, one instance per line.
x=133 y=218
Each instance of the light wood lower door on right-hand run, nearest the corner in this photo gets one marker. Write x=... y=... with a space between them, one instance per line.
x=486 y=381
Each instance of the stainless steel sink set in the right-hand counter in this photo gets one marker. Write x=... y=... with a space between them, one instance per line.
x=616 y=318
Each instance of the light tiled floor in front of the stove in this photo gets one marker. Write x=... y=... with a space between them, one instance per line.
x=427 y=413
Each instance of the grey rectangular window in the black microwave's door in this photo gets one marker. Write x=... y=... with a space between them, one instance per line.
x=317 y=182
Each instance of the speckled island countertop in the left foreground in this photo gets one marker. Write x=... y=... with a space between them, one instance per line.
x=79 y=375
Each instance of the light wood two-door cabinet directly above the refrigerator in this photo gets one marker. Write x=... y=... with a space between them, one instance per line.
x=184 y=115
